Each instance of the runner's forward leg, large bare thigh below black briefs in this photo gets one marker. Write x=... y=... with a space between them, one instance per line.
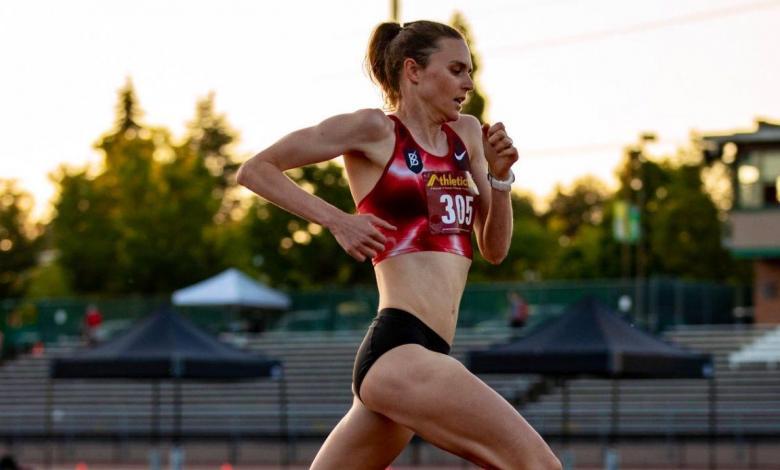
x=436 y=397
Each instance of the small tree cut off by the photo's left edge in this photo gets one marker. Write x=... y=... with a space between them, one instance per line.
x=19 y=242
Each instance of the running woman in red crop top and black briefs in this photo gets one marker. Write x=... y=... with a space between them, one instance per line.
x=424 y=178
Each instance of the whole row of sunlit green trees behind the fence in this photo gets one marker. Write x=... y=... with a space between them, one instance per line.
x=161 y=213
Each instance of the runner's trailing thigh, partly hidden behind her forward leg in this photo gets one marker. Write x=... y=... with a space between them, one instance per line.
x=362 y=440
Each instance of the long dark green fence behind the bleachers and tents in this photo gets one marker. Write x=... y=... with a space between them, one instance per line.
x=653 y=304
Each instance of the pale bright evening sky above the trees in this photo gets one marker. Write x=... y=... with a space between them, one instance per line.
x=574 y=81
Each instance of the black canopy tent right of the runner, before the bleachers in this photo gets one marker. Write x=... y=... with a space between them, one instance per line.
x=590 y=339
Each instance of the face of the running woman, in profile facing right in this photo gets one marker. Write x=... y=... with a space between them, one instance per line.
x=446 y=81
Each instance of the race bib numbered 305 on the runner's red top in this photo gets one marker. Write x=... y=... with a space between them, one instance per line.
x=451 y=205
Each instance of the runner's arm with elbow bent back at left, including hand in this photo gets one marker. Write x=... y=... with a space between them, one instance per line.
x=355 y=132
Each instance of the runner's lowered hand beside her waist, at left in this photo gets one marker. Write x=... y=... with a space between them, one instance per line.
x=358 y=234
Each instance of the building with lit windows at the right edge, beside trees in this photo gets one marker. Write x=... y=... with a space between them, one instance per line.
x=754 y=219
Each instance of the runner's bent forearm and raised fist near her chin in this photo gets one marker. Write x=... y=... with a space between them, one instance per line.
x=492 y=151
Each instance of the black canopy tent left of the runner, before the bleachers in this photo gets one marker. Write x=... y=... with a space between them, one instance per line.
x=166 y=346
